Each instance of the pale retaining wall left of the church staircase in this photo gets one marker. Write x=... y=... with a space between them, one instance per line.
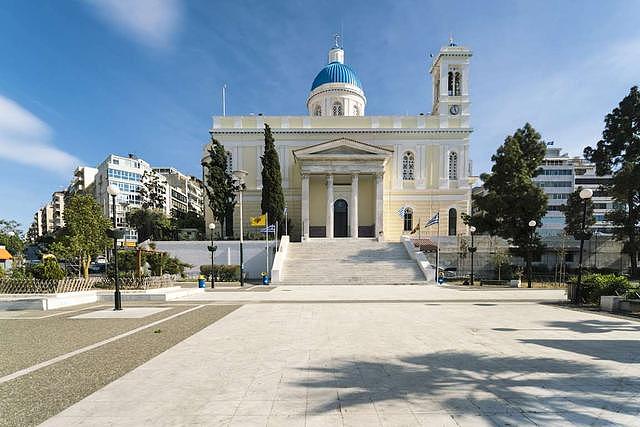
x=196 y=254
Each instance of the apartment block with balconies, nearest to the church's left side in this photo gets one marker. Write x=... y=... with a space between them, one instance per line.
x=183 y=193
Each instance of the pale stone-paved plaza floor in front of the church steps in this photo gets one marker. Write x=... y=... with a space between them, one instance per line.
x=462 y=362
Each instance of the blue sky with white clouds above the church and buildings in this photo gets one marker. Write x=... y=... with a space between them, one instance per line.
x=82 y=78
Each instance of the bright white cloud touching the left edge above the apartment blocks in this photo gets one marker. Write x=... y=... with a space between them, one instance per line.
x=25 y=139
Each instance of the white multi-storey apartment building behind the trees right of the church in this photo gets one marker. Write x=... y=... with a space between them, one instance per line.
x=561 y=175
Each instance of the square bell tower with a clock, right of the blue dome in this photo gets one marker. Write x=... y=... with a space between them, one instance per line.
x=450 y=76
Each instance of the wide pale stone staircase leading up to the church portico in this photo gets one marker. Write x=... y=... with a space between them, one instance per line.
x=348 y=262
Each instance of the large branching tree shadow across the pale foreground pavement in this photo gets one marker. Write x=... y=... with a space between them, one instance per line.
x=465 y=383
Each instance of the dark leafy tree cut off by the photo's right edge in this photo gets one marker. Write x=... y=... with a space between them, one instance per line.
x=618 y=153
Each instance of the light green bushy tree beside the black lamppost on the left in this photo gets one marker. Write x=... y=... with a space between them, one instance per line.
x=85 y=231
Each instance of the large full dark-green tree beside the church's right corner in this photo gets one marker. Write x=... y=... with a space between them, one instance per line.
x=511 y=198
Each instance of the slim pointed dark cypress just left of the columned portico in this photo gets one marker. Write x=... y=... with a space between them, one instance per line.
x=272 y=194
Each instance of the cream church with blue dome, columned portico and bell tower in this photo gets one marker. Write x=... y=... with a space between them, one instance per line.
x=349 y=175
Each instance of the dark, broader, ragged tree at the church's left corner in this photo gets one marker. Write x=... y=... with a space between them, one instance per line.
x=220 y=186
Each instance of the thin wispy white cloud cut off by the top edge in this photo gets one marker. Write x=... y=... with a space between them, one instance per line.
x=150 y=22
